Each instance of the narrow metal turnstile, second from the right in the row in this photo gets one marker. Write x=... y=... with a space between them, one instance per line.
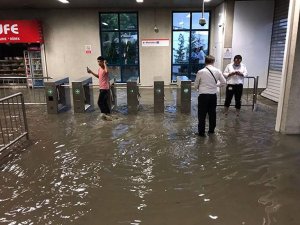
x=159 y=95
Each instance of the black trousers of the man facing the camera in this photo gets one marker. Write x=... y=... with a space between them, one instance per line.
x=237 y=91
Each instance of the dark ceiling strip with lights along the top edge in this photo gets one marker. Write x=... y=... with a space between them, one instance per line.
x=106 y=4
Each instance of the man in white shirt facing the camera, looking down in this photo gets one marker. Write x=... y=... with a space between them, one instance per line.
x=234 y=73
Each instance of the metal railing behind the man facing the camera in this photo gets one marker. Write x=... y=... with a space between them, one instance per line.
x=250 y=93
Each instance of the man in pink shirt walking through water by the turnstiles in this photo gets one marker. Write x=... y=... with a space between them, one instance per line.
x=104 y=87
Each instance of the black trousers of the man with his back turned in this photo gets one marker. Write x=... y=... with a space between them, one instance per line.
x=207 y=104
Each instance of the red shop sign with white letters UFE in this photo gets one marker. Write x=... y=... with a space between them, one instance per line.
x=20 y=31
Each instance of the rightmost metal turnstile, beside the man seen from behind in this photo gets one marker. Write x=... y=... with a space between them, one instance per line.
x=184 y=94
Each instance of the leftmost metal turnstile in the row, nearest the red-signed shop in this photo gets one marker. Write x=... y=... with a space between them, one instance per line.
x=57 y=95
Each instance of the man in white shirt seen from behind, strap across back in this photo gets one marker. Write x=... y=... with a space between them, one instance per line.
x=206 y=84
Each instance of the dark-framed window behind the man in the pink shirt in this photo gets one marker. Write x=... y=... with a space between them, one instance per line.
x=119 y=44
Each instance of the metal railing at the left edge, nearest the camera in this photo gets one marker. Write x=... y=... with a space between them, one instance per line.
x=13 y=121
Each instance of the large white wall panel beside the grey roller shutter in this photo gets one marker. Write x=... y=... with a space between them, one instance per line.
x=252 y=30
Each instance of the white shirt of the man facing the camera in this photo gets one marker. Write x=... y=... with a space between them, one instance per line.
x=235 y=79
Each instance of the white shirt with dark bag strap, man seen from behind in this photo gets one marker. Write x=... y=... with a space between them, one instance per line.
x=205 y=83
